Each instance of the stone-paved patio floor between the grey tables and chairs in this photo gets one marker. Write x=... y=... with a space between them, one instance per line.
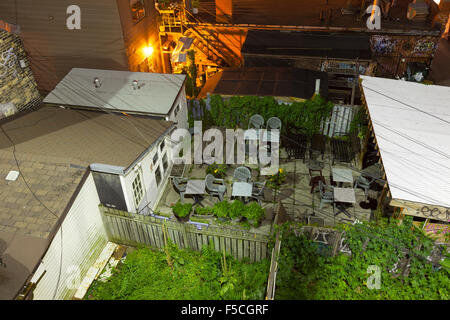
x=295 y=194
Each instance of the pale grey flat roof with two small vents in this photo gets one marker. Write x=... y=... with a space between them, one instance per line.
x=156 y=95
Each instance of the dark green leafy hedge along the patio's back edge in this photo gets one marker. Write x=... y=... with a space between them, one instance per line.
x=236 y=112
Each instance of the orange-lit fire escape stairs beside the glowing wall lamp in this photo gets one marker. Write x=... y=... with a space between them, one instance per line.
x=177 y=22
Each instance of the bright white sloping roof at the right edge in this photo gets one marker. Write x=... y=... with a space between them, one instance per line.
x=411 y=123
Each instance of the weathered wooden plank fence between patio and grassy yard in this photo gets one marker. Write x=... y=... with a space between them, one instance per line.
x=133 y=229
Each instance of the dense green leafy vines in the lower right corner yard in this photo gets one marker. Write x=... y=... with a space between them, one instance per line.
x=304 y=274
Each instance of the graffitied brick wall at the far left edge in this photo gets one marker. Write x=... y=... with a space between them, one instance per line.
x=18 y=89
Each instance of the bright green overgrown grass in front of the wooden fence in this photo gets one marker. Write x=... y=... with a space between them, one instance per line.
x=146 y=275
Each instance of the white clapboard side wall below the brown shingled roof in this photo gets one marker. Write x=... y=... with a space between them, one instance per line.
x=83 y=239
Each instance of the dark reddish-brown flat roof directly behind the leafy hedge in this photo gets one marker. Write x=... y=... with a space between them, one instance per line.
x=262 y=81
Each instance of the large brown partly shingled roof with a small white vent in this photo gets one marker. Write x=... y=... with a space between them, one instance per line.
x=54 y=147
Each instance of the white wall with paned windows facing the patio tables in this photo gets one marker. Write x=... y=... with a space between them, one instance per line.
x=147 y=169
